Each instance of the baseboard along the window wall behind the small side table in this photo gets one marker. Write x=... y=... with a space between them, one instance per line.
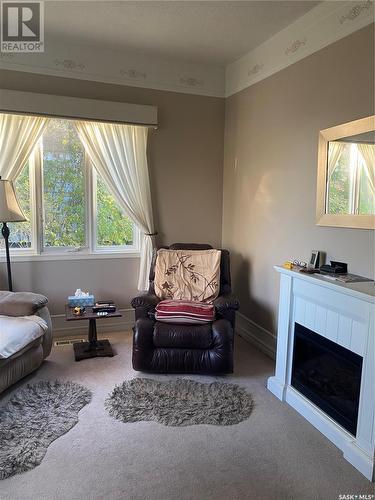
x=63 y=328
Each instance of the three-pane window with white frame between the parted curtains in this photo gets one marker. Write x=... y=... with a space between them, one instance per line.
x=68 y=206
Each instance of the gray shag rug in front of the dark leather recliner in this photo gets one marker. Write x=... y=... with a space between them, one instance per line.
x=179 y=402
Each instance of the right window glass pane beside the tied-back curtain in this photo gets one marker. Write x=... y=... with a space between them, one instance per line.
x=113 y=228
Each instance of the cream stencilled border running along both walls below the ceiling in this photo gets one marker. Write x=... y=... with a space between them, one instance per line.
x=327 y=23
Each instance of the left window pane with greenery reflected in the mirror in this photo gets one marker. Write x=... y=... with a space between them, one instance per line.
x=339 y=185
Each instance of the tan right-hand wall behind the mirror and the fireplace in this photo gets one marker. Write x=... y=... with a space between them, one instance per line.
x=270 y=161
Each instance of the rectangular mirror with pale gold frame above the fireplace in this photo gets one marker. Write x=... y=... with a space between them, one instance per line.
x=346 y=175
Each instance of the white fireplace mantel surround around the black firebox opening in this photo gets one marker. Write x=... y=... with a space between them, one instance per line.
x=344 y=314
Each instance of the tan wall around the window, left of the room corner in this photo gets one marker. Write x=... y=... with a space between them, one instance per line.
x=185 y=160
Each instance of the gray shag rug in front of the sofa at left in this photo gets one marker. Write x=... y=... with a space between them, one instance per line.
x=35 y=416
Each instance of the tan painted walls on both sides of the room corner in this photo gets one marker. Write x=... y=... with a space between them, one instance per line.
x=269 y=177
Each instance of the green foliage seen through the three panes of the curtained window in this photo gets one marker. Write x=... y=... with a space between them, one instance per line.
x=64 y=197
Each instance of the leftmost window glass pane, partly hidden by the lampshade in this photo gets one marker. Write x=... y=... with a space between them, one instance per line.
x=20 y=232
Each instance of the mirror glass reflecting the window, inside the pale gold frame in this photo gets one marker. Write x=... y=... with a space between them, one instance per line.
x=350 y=175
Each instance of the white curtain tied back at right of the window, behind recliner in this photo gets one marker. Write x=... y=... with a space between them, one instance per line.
x=118 y=152
